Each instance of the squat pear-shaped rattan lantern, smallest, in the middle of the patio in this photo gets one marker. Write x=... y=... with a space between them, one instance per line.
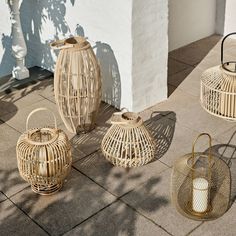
x=128 y=143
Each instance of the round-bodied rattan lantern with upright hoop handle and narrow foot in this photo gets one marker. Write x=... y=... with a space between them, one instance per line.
x=44 y=157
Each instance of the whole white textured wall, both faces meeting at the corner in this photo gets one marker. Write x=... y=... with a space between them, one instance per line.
x=132 y=78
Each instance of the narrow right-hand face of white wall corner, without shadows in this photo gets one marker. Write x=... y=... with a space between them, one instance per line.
x=150 y=47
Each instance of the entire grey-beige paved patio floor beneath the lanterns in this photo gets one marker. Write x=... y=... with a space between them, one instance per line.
x=99 y=199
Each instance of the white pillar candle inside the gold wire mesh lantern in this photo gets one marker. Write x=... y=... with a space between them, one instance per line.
x=200 y=194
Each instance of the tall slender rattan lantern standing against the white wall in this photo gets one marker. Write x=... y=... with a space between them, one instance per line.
x=77 y=84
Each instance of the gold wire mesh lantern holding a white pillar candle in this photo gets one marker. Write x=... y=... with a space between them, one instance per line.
x=201 y=185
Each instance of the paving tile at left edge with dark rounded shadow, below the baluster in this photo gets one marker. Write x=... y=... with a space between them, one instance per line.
x=15 y=101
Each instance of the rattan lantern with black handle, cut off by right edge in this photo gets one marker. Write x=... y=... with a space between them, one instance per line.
x=218 y=88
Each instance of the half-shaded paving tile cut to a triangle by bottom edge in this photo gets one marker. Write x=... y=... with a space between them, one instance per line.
x=117 y=219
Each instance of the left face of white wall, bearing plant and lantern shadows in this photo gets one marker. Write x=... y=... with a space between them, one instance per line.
x=106 y=23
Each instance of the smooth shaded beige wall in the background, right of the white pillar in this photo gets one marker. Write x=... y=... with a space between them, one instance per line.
x=190 y=20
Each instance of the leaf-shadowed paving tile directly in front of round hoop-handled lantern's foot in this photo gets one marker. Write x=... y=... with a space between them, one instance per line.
x=76 y=201
